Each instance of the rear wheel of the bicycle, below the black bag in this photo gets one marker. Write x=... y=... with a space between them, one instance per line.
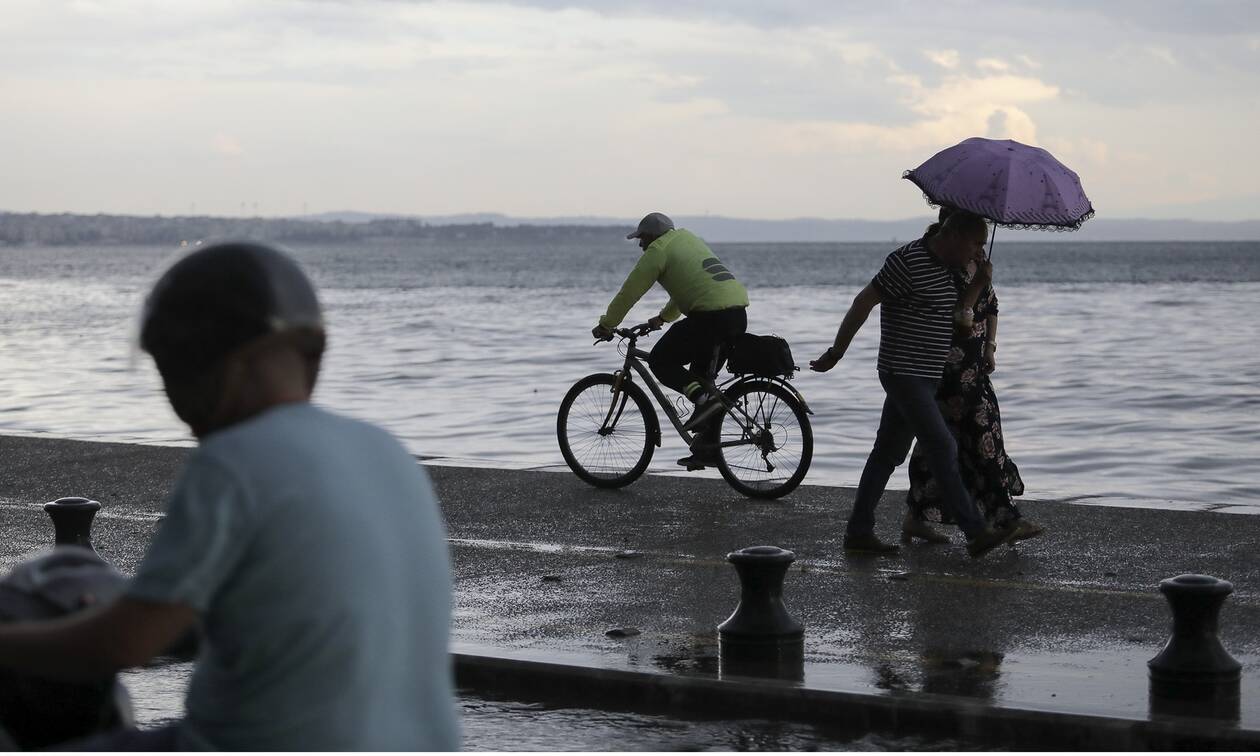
x=765 y=442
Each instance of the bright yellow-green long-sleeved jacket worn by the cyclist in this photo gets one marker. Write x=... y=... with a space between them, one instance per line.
x=695 y=279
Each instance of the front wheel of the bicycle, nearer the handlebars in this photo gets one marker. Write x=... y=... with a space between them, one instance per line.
x=604 y=430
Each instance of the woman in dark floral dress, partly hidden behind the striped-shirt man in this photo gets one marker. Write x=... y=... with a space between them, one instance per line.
x=970 y=405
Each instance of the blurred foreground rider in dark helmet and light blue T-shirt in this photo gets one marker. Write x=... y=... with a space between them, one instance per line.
x=308 y=547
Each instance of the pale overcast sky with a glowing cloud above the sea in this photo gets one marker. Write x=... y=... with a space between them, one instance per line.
x=736 y=108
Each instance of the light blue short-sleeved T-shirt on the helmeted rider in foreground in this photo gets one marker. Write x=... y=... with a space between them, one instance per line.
x=314 y=551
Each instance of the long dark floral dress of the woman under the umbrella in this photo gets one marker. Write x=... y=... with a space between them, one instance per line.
x=971 y=409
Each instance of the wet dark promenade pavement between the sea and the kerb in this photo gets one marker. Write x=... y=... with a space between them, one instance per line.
x=546 y=566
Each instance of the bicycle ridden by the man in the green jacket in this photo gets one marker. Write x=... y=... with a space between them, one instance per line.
x=608 y=429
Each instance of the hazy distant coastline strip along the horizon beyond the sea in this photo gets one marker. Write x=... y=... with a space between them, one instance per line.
x=69 y=229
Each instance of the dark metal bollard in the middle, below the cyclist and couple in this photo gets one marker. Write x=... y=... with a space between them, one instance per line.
x=762 y=638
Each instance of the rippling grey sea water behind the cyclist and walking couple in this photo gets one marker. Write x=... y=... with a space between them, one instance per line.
x=1128 y=374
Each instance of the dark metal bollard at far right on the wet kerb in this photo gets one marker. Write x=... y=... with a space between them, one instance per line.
x=1194 y=673
